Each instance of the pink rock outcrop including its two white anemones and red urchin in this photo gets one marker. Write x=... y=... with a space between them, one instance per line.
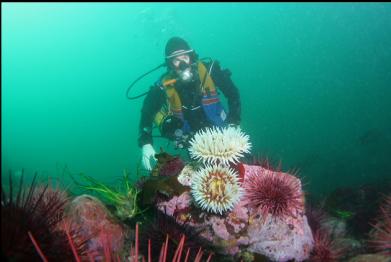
x=243 y=210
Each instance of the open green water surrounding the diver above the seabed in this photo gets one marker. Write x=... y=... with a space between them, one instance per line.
x=314 y=81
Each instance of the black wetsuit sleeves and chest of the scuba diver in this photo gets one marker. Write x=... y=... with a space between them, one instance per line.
x=190 y=96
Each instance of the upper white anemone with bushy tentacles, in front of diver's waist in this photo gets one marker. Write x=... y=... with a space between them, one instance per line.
x=219 y=145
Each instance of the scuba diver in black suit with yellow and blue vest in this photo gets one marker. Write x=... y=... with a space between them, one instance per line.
x=185 y=99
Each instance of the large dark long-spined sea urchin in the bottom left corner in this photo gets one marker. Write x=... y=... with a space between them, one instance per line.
x=31 y=216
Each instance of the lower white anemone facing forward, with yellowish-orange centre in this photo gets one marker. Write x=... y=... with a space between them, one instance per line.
x=216 y=188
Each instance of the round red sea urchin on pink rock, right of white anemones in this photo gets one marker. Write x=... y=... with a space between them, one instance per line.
x=272 y=192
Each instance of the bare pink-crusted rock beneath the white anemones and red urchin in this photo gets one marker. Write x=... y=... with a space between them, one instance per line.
x=246 y=229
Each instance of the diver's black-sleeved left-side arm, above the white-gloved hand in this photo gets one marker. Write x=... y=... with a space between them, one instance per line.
x=151 y=105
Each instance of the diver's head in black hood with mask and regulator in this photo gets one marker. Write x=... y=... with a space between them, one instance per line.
x=180 y=58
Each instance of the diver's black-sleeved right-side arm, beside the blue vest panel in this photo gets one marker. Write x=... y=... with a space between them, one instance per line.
x=223 y=81
